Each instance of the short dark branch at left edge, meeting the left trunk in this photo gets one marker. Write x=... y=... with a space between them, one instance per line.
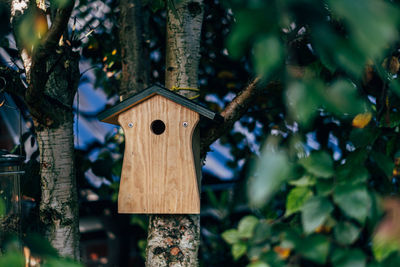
x=10 y=81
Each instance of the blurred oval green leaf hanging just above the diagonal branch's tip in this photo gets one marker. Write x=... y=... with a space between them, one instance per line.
x=268 y=54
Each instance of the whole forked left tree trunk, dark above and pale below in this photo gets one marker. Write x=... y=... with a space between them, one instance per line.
x=52 y=74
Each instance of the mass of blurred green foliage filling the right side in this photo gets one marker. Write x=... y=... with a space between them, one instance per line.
x=338 y=65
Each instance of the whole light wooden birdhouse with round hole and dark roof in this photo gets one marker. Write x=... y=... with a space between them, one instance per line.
x=161 y=167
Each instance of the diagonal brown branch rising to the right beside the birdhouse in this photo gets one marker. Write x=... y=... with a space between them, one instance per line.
x=234 y=111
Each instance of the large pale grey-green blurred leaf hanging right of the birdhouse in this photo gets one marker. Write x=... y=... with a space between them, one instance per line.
x=272 y=169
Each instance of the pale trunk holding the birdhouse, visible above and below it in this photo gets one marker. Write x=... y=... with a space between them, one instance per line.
x=173 y=240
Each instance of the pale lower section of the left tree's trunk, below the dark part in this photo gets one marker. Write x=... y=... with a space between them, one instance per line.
x=58 y=210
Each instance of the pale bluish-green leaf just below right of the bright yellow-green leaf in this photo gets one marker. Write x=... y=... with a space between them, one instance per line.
x=314 y=213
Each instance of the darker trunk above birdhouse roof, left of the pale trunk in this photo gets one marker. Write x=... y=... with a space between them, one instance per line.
x=134 y=42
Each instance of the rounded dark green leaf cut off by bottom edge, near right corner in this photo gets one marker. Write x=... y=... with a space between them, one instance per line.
x=349 y=258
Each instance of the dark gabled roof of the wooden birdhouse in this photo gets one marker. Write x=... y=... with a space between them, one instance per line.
x=110 y=115
